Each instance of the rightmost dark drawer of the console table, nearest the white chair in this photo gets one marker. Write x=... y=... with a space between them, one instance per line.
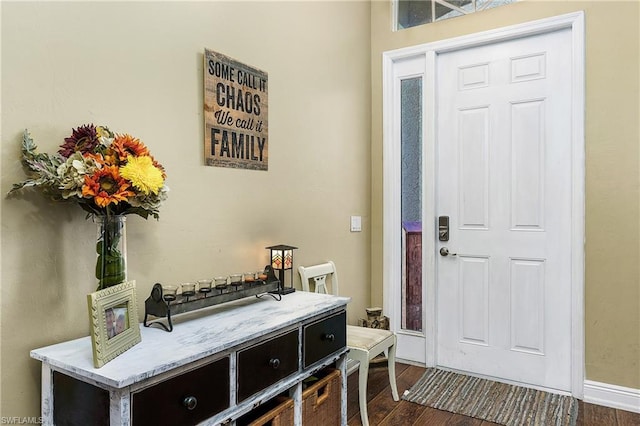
x=324 y=337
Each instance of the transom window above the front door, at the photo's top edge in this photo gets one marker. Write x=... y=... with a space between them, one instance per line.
x=410 y=13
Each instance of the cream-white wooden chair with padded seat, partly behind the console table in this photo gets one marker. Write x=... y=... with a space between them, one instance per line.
x=364 y=343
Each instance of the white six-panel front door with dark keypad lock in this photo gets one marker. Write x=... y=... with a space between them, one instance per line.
x=504 y=179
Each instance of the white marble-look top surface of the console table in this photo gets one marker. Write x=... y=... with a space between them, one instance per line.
x=196 y=335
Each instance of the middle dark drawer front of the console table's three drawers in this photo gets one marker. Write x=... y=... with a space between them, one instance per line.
x=262 y=365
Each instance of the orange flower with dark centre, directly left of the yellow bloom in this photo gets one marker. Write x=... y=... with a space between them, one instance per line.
x=106 y=187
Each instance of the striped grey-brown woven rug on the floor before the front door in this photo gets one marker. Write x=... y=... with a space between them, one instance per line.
x=492 y=401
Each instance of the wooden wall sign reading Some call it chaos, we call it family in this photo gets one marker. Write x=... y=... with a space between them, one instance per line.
x=236 y=128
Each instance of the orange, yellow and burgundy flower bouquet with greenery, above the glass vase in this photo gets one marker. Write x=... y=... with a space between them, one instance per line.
x=104 y=173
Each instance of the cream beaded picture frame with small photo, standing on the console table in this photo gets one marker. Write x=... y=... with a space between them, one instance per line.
x=113 y=318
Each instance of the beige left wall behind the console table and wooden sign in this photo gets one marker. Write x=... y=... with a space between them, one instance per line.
x=137 y=67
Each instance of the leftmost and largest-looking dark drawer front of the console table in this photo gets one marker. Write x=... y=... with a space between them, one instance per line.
x=186 y=399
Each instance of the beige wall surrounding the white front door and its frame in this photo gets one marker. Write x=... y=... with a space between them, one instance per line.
x=612 y=293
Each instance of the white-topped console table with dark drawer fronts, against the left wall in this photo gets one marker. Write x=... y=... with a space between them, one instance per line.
x=218 y=364
